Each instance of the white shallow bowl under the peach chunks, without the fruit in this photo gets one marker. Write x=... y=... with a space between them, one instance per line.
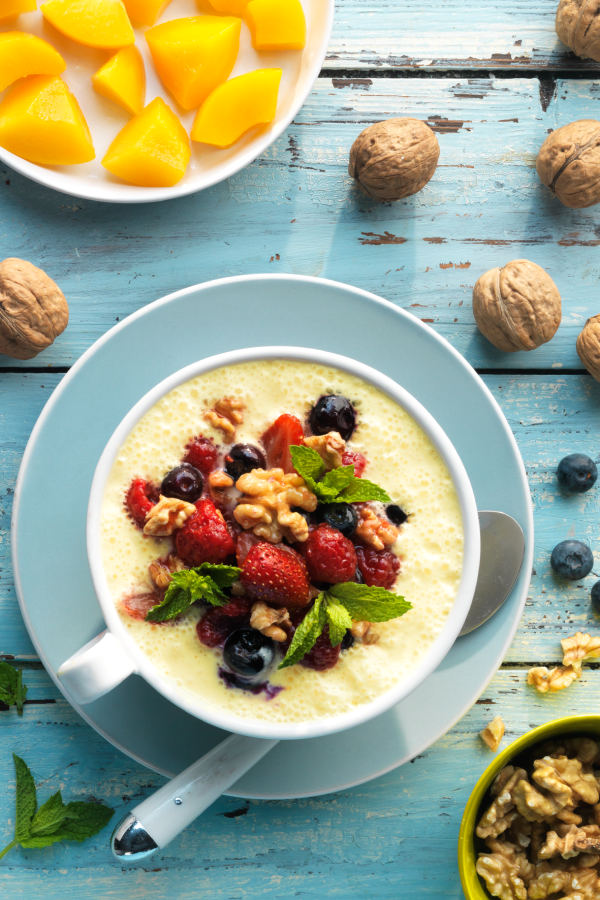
x=208 y=165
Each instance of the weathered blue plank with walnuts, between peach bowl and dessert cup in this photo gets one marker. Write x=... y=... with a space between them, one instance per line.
x=296 y=210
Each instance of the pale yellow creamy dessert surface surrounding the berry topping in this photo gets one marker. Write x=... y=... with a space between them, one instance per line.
x=401 y=459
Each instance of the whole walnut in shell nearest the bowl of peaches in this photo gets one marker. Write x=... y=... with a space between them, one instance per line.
x=394 y=159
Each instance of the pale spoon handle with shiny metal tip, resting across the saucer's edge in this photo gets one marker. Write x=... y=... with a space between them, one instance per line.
x=163 y=815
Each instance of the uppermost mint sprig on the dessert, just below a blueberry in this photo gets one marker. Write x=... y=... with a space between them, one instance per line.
x=338 y=486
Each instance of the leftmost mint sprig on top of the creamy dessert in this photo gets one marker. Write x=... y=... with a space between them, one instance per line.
x=206 y=582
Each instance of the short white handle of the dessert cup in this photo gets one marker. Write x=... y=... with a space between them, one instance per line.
x=96 y=669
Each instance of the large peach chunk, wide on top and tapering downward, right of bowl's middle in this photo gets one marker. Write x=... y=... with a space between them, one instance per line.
x=194 y=55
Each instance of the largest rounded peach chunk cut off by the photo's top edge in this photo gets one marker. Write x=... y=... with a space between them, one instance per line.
x=94 y=23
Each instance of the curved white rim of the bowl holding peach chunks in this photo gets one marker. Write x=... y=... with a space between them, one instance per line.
x=121 y=192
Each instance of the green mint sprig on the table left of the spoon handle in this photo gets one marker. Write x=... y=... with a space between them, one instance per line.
x=54 y=820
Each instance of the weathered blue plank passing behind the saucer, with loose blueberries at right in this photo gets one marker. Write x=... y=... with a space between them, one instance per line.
x=550 y=417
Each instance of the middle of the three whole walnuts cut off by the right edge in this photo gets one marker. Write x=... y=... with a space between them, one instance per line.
x=569 y=163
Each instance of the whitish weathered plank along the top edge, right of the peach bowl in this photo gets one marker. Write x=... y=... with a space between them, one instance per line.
x=456 y=34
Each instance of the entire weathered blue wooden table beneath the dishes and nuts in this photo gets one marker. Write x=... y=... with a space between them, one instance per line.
x=491 y=79
